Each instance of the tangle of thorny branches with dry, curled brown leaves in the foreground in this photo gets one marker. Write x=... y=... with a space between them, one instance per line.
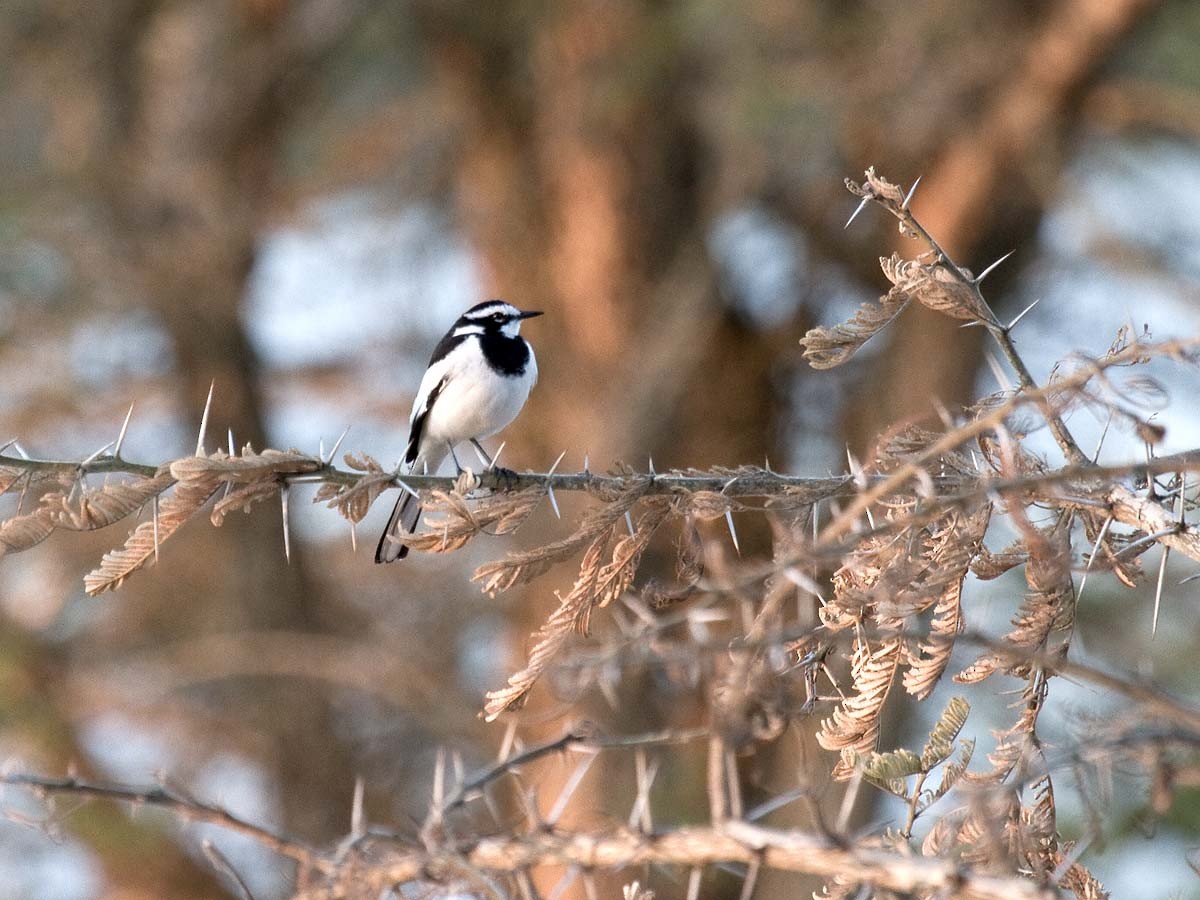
x=847 y=611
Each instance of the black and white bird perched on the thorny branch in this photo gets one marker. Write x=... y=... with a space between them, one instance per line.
x=479 y=377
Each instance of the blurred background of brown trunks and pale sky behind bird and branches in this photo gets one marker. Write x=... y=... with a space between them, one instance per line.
x=296 y=199
